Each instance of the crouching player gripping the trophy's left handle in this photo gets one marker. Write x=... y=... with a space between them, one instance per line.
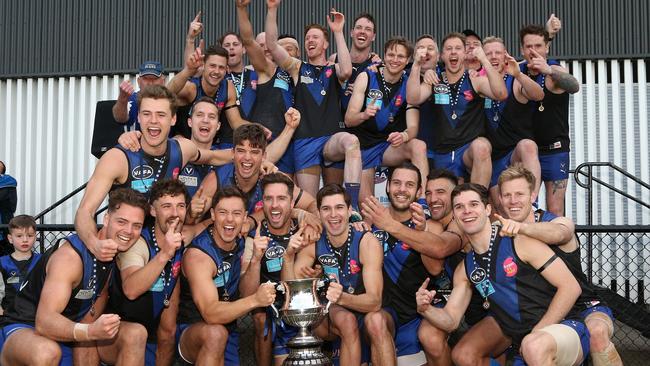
x=210 y=301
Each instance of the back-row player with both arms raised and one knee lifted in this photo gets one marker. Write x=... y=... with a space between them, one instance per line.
x=320 y=136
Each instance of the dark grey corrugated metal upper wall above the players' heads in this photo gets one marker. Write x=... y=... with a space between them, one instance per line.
x=77 y=37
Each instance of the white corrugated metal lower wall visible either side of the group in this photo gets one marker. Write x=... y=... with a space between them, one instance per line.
x=47 y=129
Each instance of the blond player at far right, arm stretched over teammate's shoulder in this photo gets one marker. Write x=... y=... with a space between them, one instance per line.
x=516 y=185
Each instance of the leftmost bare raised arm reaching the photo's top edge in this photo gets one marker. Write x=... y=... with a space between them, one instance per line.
x=253 y=50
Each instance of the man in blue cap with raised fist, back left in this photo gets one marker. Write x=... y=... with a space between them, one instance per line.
x=125 y=109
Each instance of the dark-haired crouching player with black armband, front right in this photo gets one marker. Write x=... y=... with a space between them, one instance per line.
x=528 y=291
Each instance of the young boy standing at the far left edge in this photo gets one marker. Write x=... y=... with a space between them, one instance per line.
x=15 y=266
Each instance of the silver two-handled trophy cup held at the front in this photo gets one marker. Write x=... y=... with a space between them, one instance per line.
x=302 y=308
